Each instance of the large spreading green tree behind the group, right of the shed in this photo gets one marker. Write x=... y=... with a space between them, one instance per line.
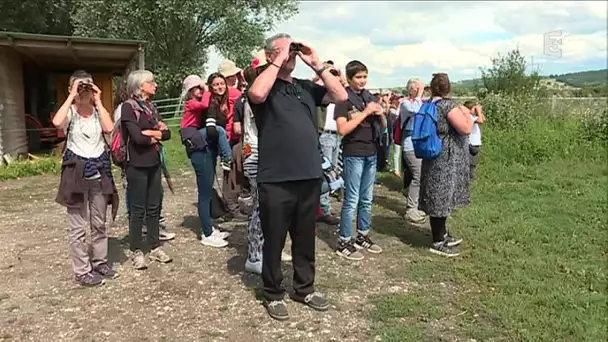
x=180 y=32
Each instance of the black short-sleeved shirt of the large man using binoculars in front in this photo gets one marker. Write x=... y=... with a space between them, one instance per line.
x=288 y=141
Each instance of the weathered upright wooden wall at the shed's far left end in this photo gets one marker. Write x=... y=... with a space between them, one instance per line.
x=12 y=122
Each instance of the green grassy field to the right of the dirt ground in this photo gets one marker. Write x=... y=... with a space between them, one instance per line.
x=533 y=266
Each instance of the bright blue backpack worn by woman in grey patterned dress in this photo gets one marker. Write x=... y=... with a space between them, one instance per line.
x=425 y=136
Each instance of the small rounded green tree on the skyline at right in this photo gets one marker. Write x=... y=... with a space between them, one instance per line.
x=508 y=75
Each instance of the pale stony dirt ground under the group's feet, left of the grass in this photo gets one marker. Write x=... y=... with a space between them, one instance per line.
x=204 y=295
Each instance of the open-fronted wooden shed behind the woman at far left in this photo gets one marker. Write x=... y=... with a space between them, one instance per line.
x=34 y=76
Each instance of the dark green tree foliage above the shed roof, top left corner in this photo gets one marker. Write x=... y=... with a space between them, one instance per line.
x=36 y=16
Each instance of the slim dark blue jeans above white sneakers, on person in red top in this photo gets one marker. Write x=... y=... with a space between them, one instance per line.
x=204 y=163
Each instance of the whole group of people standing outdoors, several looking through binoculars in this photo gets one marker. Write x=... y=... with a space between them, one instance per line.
x=288 y=142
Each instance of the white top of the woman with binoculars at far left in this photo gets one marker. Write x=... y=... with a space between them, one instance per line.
x=85 y=136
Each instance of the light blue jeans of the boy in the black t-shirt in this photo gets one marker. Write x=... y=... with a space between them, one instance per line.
x=359 y=176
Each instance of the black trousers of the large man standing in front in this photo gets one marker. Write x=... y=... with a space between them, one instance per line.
x=289 y=207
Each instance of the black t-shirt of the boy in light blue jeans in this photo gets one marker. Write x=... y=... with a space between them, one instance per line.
x=360 y=142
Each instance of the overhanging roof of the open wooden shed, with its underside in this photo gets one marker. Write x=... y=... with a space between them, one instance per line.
x=66 y=53
